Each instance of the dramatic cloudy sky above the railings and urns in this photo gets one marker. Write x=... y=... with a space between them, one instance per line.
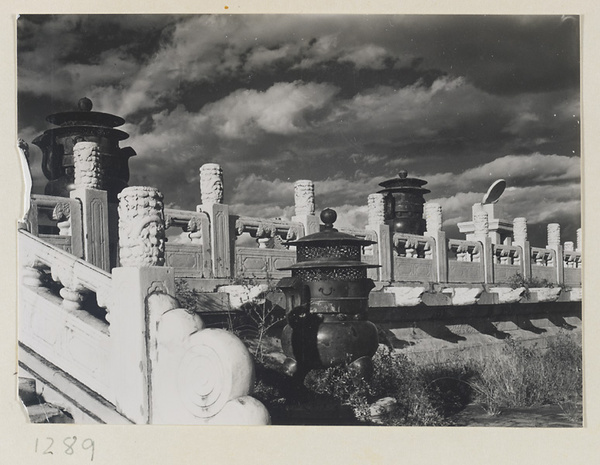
x=346 y=101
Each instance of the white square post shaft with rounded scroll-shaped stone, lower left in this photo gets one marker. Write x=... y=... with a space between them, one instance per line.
x=166 y=367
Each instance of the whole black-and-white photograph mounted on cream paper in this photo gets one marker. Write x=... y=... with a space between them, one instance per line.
x=300 y=219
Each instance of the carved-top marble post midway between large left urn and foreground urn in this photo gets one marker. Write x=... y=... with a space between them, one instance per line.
x=211 y=194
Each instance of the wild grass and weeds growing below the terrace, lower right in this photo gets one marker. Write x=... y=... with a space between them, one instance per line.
x=433 y=387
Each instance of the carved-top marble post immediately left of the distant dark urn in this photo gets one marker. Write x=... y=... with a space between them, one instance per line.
x=385 y=251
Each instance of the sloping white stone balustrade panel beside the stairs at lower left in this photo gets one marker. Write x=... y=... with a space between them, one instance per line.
x=53 y=325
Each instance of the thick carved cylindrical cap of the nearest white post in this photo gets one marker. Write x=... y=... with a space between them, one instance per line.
x=141 y=227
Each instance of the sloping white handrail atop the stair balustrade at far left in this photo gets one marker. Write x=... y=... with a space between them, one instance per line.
x=72 y=272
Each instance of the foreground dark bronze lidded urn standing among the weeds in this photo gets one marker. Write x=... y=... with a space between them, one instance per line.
x=327 y=302
